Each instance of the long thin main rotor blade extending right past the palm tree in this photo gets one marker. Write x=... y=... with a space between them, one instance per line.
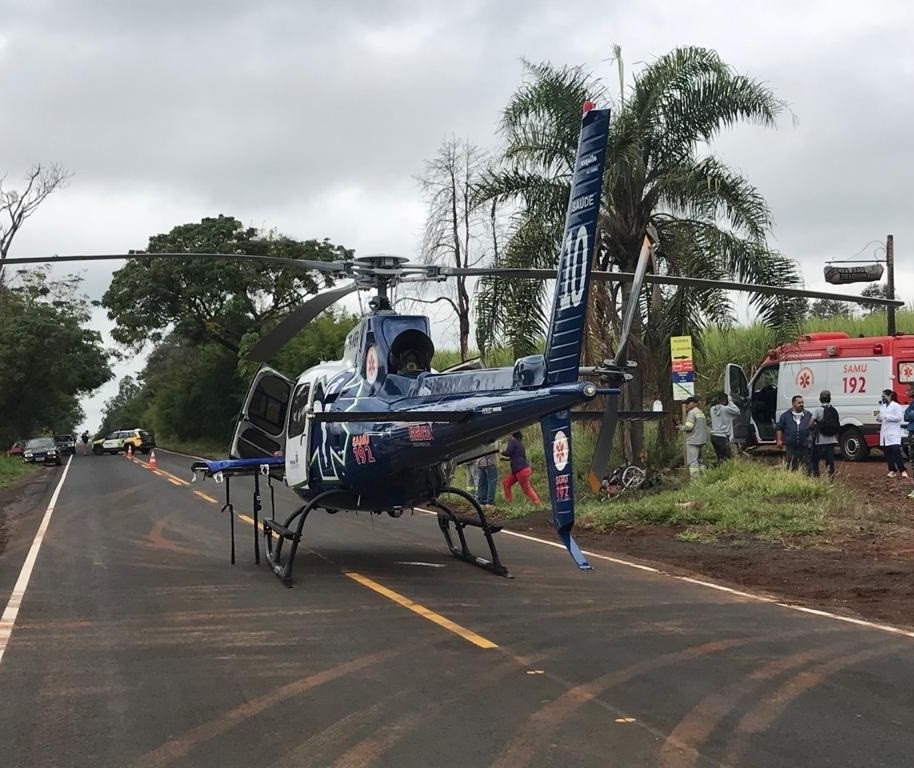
x=687 y=282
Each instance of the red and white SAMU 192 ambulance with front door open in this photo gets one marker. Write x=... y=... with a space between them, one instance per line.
x=854 y=369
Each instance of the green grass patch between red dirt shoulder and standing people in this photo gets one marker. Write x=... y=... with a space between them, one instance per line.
x=740 y=499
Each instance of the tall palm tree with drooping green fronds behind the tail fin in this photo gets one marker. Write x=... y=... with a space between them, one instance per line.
x=660 y=169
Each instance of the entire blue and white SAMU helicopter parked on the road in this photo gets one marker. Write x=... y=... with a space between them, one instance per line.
x=379 y=430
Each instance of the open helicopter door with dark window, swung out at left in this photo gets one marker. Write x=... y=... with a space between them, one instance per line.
x=261 y=426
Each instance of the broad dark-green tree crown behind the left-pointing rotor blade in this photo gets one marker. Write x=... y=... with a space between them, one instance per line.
x=212 y=300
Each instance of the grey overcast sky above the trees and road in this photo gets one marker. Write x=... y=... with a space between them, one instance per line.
x=315 y=117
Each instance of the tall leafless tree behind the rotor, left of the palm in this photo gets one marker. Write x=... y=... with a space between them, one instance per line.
x=457 y=229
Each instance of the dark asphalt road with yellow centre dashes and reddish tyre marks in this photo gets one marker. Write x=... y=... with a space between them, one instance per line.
x=137 y=644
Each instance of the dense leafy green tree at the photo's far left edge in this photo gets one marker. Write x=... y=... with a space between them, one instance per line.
x=49 y=358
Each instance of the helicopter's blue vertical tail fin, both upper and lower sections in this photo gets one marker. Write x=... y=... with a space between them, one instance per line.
x=569 y=310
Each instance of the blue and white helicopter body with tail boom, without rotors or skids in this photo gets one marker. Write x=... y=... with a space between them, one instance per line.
x=379 y=427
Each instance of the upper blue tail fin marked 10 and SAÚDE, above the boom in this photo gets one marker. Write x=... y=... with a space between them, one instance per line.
x=569 y=308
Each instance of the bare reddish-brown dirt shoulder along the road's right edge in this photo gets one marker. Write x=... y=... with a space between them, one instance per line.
x=862 y=568
